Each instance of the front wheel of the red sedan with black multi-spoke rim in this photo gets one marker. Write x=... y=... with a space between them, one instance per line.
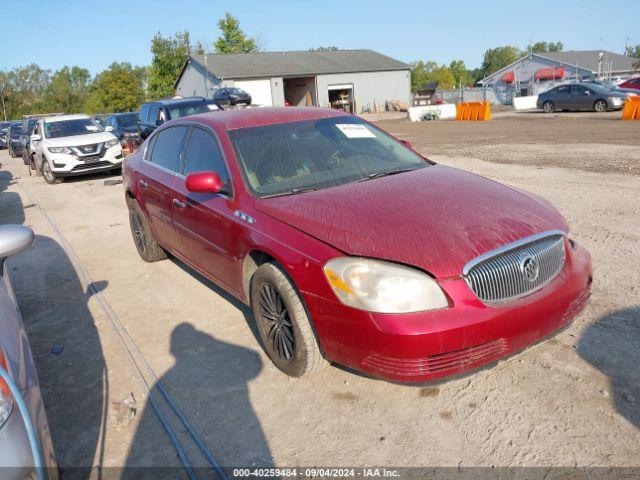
x=283 y=324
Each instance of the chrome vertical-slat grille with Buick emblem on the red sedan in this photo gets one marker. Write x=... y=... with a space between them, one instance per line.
x=517 y=269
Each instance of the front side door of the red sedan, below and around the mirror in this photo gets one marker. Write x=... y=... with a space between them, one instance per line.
x=204 y=221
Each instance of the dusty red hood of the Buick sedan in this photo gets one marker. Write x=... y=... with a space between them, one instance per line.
x=436 y=218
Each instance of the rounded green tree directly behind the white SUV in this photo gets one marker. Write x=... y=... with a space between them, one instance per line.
x=68 y=90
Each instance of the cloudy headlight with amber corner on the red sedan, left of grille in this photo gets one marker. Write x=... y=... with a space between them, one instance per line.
x=383 y=287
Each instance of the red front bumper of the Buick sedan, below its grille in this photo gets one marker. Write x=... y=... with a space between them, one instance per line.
x=429 y=345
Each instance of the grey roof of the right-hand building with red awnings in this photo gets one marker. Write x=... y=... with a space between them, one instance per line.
x=584 y=59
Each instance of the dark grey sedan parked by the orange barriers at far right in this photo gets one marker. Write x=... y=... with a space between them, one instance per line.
x=578 y=96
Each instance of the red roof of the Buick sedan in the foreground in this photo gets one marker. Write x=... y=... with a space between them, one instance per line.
x=260 y=116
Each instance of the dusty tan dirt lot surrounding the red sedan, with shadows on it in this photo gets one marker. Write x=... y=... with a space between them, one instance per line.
x=572 y=400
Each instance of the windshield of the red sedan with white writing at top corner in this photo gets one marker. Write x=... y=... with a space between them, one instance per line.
x=288 y=158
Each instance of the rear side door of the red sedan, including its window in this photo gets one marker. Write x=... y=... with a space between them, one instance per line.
x=158 y=172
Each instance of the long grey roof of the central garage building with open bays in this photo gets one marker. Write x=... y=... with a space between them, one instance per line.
x=295 y=64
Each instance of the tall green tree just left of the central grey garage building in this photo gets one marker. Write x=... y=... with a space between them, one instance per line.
x=169 y=55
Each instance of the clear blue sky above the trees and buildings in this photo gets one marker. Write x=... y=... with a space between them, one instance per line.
x=93 y=34
